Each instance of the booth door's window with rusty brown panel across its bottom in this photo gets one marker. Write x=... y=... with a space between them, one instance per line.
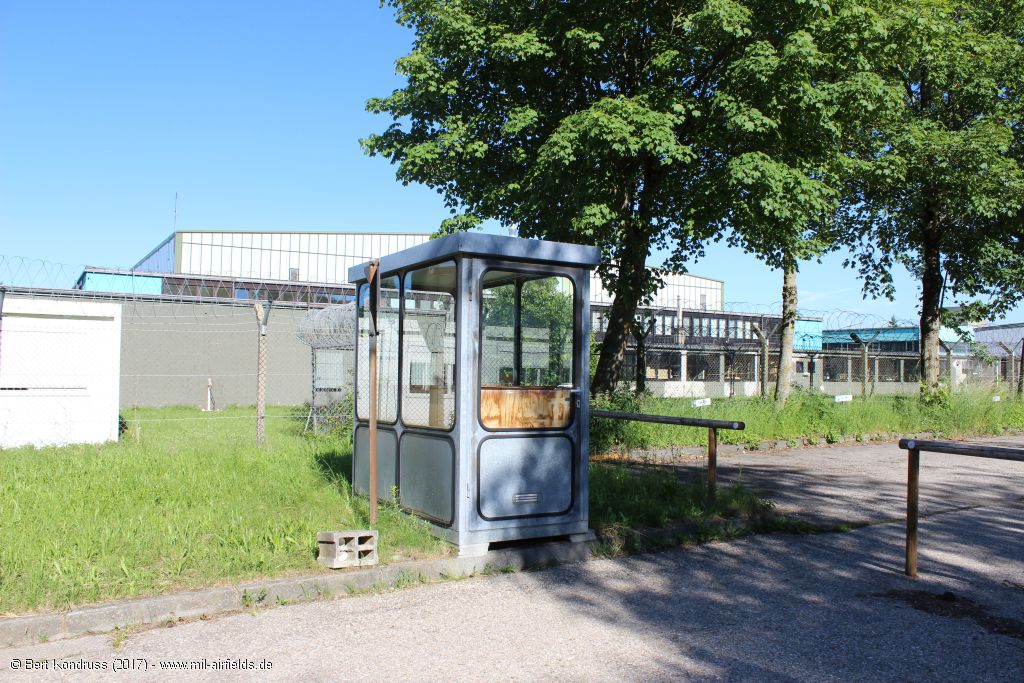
x=527 y=344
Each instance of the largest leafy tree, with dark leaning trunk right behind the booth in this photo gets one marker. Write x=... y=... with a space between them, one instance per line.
x=630 y=125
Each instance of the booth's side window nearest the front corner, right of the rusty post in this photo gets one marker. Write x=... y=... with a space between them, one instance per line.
x=429 y=348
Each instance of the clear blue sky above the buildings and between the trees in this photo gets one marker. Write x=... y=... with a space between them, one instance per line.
x=252 y=113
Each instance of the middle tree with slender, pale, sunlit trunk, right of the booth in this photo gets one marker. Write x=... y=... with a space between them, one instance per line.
x=791 y=106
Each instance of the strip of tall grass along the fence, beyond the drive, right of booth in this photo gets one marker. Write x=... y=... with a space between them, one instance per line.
x=817 y=416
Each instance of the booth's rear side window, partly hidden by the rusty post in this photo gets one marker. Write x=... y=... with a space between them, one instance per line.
x=388 y=354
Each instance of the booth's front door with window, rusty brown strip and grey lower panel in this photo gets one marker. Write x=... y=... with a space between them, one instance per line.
x=529 y=394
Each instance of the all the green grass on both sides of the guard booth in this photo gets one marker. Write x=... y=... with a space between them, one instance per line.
x=188 y=500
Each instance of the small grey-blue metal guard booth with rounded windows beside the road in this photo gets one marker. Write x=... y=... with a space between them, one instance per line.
x=484 y=348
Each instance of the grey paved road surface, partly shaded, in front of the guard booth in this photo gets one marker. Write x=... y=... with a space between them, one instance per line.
x=830 y=607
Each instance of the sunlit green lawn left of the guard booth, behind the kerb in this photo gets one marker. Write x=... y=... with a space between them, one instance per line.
x=185 y=500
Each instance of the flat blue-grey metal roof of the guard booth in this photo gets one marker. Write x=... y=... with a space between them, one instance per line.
x=482 y=245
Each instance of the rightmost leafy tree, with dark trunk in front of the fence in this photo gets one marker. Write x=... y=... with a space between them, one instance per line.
x=946 y=194
